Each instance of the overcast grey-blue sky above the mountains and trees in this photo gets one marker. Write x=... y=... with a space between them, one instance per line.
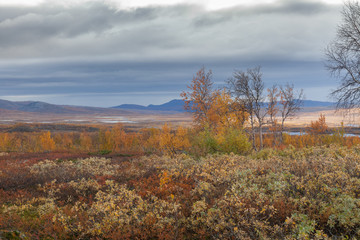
x=110 y=52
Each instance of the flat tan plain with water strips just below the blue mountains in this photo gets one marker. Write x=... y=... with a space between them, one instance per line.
x=157 y=119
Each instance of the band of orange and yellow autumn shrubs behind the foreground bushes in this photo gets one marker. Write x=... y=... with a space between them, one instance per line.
x=168 y=140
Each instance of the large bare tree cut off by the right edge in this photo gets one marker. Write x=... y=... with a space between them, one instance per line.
x=343 y=57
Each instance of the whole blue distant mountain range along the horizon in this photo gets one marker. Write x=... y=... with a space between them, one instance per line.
x=175 y=106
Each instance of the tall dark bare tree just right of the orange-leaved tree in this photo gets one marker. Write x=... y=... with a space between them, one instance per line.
x=248 y=89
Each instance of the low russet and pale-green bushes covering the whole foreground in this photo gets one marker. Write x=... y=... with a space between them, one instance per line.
x=312 y=193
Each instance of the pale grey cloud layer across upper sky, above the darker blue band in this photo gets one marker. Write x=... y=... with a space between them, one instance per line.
x=97 y=29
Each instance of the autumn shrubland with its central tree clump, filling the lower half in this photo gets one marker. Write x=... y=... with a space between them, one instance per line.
x=234 y=175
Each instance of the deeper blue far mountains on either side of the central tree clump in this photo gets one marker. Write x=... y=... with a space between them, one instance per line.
x=177 y=105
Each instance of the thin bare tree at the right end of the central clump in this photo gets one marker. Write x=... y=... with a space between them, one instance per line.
x=290 y=103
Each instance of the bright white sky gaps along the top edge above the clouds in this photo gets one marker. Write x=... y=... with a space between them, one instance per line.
x=209 y=4
